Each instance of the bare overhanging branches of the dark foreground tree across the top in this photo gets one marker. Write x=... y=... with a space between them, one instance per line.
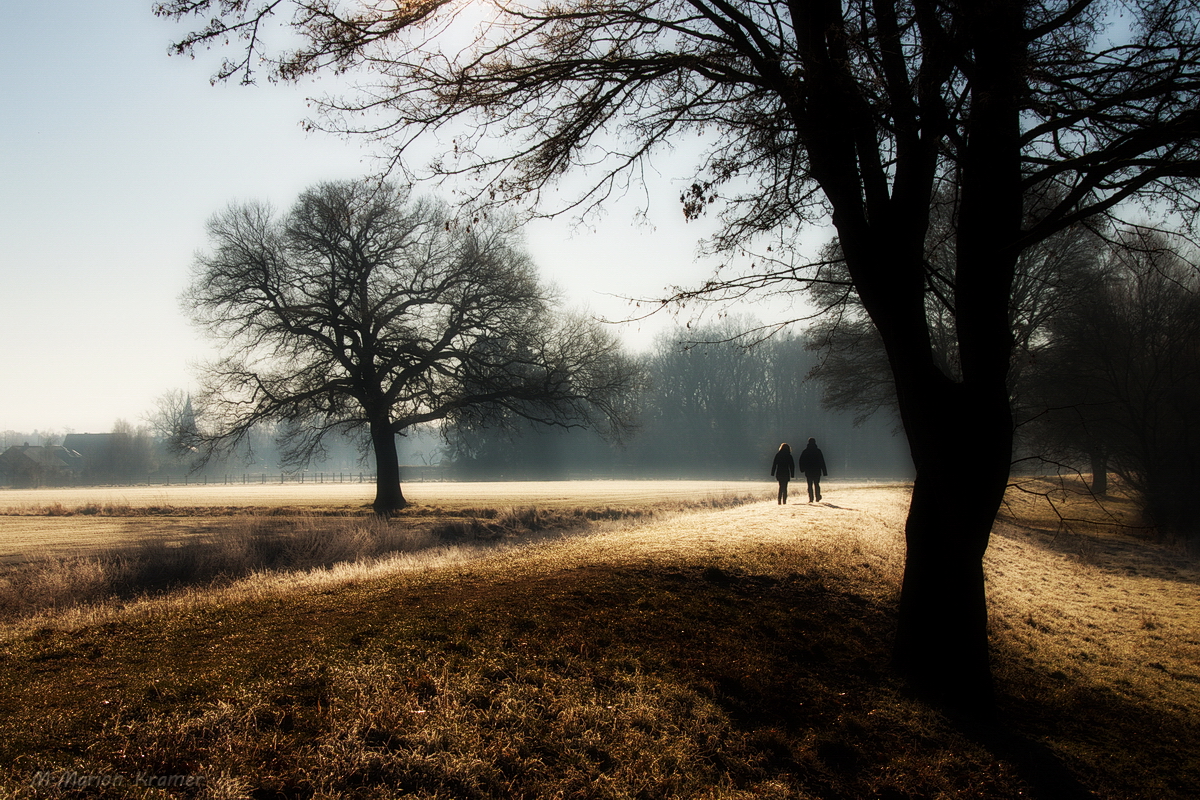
x=531 y=91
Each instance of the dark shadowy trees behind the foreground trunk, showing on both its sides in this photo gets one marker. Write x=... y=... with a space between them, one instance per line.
x=1106 y=368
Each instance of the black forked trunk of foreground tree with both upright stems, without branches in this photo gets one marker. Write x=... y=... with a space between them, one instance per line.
x=959 y=430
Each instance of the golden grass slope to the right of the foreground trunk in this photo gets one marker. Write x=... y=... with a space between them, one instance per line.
x=1099 y=630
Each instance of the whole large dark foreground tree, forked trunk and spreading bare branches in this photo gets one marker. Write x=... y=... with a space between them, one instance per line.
x=848 y=111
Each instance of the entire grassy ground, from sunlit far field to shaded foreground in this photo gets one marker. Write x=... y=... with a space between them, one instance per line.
x=577 y=640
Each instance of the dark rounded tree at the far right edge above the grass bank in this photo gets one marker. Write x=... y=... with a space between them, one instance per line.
x=1121 y=378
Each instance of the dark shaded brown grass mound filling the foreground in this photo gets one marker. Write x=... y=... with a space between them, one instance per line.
x=665 y=679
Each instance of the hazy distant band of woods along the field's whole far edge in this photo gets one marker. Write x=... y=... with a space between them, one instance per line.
x=712 y=408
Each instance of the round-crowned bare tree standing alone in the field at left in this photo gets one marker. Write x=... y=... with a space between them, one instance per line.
x=365 y=310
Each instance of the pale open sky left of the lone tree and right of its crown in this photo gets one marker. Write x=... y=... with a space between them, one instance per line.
x=115 y=154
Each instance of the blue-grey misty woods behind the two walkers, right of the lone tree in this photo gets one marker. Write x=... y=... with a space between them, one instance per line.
x=711 y=408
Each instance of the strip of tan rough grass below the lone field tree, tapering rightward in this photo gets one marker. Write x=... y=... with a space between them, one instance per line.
x=133 y=557
